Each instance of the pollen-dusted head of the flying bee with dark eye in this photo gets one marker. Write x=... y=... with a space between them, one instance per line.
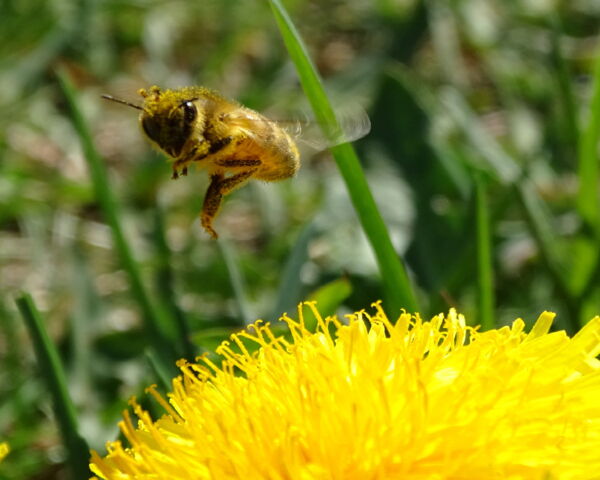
x=168 y=117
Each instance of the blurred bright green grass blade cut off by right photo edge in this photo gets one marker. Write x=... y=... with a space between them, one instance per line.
x=587 y=198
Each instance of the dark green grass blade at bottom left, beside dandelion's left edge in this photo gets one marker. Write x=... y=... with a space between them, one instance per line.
x=54 y=376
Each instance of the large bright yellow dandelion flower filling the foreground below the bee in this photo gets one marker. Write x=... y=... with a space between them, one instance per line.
x=367 y=398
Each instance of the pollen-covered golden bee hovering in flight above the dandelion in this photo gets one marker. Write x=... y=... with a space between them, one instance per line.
x=196 y=125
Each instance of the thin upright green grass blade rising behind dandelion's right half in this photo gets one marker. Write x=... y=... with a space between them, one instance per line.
x=485 y=269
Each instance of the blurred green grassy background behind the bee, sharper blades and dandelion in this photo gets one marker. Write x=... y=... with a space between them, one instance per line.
x=478 y=107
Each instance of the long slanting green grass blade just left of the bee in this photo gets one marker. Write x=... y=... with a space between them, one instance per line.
x=155 y=320
